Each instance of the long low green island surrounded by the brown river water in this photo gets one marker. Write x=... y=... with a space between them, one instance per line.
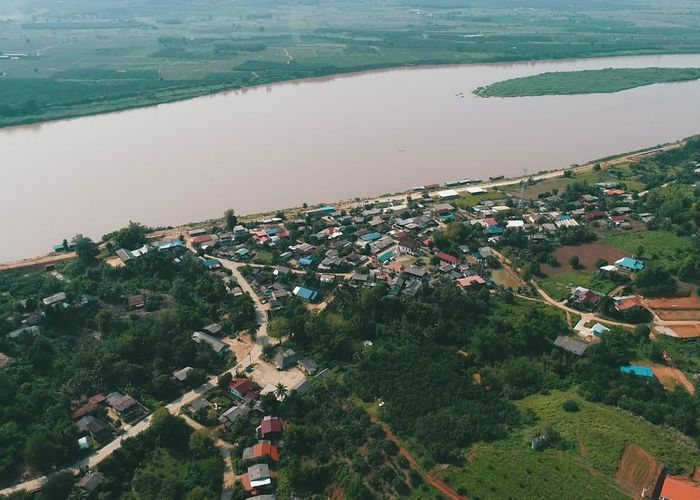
x=586 y=82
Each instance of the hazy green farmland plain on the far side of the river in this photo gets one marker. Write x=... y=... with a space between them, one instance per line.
x=80 y=57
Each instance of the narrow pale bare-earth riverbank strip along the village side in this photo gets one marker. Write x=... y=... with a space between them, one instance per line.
x=35 y=264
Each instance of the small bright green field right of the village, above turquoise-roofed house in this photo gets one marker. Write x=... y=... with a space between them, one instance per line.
x=657 y=247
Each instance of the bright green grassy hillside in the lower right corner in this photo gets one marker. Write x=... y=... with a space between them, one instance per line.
x=597 y=436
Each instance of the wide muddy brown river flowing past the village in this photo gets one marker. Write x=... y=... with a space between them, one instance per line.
x=316 y=140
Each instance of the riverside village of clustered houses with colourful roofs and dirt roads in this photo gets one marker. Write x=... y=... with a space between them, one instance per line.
x=472 y=236
